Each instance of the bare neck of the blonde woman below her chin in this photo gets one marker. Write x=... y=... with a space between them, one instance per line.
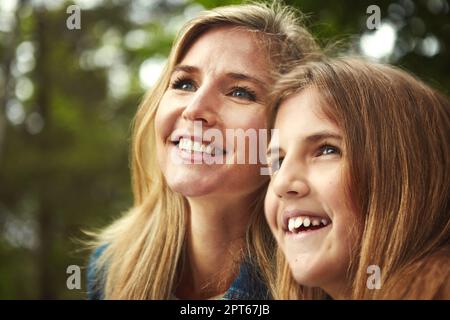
x=214 y=242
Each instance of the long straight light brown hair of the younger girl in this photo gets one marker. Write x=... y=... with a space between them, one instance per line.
x=396 y=133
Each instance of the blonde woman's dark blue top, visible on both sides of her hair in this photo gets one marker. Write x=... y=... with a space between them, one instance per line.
x=246 y=286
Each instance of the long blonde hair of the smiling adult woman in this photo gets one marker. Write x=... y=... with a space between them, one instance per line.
x=144 y=248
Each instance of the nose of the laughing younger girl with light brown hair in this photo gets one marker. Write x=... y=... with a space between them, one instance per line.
x=290 y=182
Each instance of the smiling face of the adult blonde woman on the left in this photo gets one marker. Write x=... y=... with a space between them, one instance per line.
x=220 y=84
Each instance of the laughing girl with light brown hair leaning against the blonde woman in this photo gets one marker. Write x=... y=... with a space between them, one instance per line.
x=359 y=194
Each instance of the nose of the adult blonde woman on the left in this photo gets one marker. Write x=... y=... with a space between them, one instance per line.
x=203 y=106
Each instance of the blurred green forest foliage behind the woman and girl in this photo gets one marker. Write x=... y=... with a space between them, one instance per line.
x=68 y=98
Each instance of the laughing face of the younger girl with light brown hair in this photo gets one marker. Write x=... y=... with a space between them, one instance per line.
x=306 y=205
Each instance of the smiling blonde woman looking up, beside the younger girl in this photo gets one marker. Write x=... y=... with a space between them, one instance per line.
x=197 y=230
